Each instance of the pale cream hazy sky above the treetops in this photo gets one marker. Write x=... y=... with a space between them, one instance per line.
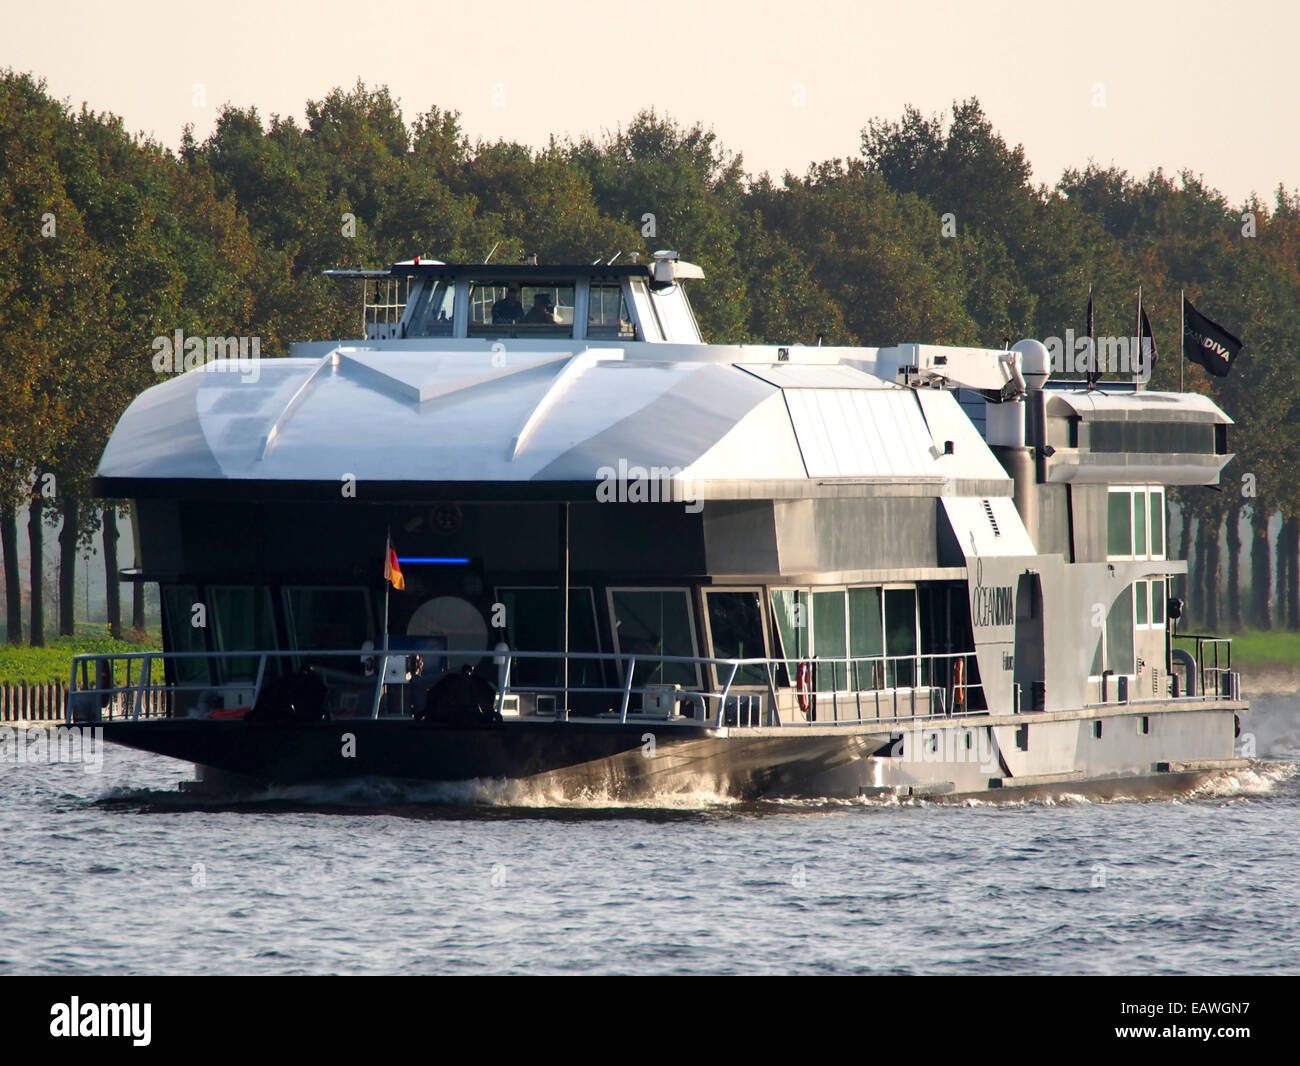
x=1208 y=86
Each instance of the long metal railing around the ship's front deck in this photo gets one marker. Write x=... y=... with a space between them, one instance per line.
x=690 y=690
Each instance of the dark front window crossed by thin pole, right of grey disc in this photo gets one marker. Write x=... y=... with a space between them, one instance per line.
x=534 y=625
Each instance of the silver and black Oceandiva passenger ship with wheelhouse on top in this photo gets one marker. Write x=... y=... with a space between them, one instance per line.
x=532 y=528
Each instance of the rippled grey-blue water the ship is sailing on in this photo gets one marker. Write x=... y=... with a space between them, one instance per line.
x=119 y=874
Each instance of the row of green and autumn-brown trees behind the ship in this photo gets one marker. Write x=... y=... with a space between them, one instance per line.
x=934 y=232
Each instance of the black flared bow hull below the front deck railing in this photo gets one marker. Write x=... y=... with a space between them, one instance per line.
x=623 y=761
